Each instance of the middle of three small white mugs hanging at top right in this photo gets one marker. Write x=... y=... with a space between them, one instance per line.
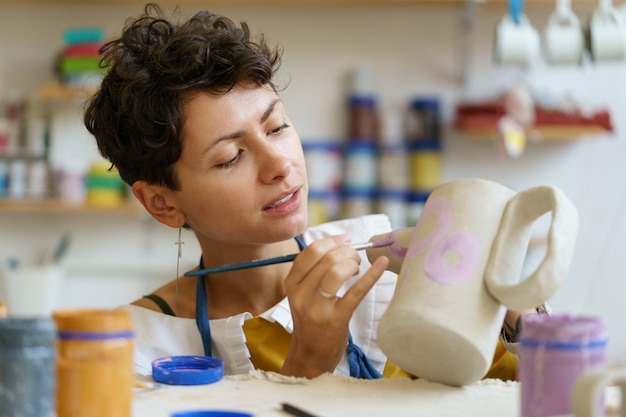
x=564 y=38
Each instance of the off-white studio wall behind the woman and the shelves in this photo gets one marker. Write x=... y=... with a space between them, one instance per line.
x=412 y=51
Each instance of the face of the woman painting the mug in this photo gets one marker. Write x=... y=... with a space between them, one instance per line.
x=242 y=171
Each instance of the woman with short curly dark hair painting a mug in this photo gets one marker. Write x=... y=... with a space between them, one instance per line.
x=189 y=115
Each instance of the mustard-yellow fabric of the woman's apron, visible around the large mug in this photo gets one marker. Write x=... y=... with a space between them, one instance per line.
x=269 y=343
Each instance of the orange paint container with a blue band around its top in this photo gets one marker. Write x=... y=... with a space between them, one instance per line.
x=94 y=363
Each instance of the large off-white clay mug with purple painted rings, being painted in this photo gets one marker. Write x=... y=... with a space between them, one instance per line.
x=462 y=270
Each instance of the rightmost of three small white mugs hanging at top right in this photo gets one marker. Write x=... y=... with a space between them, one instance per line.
x=607 y=34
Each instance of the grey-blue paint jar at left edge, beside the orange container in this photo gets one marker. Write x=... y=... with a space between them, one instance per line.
x=27 y=367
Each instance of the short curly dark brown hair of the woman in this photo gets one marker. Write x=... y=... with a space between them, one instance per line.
x=136 y=115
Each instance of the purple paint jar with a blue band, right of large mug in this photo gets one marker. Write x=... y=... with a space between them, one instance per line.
x=554 y=351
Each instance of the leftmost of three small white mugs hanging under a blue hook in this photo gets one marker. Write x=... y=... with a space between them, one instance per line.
x=517 y=43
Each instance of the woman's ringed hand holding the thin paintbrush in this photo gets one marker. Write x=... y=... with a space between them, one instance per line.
x=320 y=319
